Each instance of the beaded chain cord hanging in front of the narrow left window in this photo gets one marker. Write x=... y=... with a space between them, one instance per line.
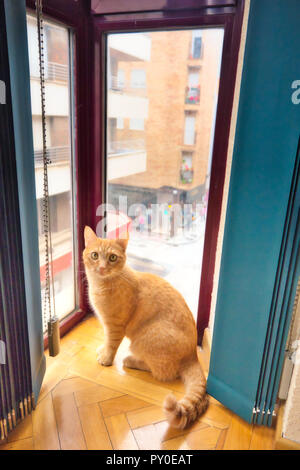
x=49 y=275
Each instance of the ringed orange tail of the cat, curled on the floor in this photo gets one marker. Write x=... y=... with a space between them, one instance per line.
x=182 y=413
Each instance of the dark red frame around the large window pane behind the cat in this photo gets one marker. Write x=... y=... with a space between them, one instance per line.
x=231 y=19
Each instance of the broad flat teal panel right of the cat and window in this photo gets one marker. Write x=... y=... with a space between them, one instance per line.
x=267 y=134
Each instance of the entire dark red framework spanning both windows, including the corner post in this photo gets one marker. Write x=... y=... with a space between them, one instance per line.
x=90 y=29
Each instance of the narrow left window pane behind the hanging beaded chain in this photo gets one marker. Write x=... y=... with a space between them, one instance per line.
x=57 y=96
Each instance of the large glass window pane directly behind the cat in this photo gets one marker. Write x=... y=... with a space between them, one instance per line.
x=158 y=163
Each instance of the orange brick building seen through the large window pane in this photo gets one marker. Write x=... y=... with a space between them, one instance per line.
x=180 y=82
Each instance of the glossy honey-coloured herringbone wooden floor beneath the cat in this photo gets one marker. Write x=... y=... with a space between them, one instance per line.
x=83 y=405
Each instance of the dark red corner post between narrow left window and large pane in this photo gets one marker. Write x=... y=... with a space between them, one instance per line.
x=76 y=15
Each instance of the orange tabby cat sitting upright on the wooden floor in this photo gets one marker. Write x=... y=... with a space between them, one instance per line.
x=153 y=315
